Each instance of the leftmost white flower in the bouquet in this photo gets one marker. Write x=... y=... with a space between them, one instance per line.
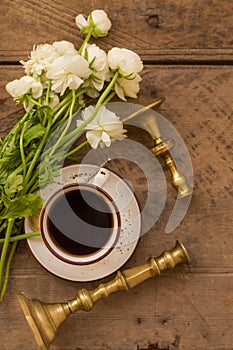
x=19 y=87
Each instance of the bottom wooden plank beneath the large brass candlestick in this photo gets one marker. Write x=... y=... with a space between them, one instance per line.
x=175 y=311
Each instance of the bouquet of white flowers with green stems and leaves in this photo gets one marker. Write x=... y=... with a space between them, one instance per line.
x=60 y=81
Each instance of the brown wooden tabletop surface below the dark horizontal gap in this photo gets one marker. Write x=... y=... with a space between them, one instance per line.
x=191 y=307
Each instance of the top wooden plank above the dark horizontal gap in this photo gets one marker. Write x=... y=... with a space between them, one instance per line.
x=159 y=31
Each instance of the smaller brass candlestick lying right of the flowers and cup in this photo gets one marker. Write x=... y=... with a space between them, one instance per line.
x=161 y=148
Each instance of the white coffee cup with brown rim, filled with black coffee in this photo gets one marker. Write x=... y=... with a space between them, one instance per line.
x=80 y=222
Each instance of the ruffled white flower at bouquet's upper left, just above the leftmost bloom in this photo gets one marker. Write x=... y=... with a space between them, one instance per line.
x=40 y=59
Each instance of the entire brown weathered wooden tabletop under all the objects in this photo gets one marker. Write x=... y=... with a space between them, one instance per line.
x=188 y=53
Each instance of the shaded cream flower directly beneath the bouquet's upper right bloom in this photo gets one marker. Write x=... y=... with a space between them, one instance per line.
x=125 y=87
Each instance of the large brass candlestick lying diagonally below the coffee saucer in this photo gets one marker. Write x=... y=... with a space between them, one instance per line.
x=44 y=319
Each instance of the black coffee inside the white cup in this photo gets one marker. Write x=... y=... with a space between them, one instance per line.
x=80 y=221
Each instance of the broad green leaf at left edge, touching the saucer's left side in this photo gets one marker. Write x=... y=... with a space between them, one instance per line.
x=22 y=206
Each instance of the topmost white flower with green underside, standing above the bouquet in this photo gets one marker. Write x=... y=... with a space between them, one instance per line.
x=97 y=20
